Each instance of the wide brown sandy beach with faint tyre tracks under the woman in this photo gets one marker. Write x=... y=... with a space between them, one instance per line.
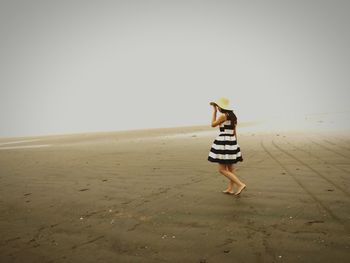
x=152 y=196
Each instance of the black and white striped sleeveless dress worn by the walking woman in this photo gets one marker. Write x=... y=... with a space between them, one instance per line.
x=225 y=148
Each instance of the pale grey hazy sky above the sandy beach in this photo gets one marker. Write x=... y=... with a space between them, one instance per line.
x=77 y=66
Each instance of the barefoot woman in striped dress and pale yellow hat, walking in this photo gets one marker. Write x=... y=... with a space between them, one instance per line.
x=225 y=151
